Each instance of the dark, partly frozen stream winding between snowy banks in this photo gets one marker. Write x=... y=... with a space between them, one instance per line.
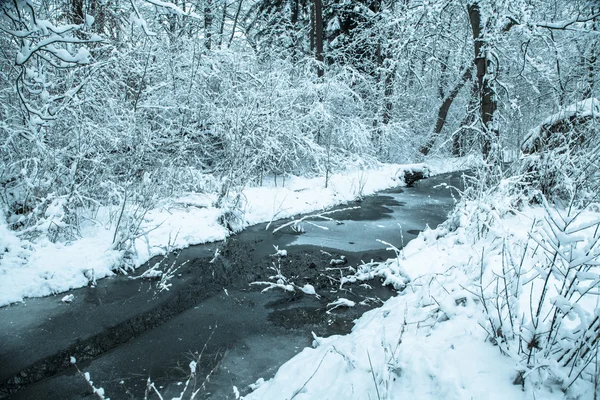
x=123 y=331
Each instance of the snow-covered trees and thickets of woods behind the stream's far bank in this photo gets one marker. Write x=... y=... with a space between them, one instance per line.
x=102 y=97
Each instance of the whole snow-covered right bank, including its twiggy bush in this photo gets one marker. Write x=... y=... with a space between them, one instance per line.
x=433 y=340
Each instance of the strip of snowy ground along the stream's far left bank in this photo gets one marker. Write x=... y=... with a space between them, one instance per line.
x=34 y=267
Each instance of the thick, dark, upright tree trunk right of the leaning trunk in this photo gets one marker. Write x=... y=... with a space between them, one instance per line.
x=487 y=99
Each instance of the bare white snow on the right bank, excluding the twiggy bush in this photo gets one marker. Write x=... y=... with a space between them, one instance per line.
x=428 y=342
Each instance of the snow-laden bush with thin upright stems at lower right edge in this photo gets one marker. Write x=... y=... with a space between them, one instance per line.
x=541 y=300
